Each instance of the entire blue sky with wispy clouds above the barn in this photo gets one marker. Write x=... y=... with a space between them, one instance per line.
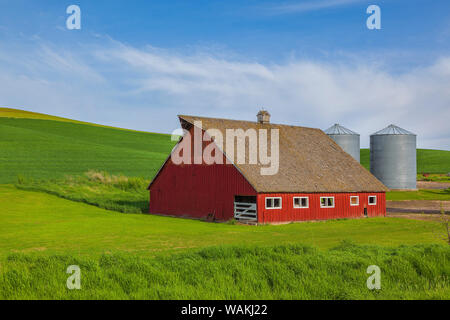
x=137 y=64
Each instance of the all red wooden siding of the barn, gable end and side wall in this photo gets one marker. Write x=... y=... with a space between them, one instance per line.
x=197 y=190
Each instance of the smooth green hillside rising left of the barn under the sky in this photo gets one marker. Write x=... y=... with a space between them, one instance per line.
x=48 y=147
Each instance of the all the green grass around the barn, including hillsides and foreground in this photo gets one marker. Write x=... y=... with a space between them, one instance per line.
x=65 y=210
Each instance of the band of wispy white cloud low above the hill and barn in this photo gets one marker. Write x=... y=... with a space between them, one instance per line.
x=145 y=88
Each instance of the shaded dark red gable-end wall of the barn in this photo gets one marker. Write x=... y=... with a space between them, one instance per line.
x=196 y=190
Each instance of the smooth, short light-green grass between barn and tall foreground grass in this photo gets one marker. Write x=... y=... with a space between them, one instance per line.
x=39 y=223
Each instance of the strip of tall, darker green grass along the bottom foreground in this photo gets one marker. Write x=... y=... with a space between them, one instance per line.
x=276 y=272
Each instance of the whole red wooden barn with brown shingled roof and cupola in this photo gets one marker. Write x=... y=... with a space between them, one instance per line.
x=316 y=179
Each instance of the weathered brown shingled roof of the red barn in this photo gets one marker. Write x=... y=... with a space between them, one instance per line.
x=309 y=160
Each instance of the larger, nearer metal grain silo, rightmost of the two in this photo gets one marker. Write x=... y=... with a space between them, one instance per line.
x=393 y=157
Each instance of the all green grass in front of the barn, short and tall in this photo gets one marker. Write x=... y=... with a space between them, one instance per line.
x=135 y=256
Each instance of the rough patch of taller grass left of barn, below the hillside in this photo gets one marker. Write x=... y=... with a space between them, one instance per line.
x=99 y=188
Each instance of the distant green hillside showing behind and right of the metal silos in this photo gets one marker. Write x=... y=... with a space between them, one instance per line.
x=428 y=161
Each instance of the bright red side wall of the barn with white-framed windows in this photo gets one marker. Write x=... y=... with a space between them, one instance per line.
x=342 y=207
